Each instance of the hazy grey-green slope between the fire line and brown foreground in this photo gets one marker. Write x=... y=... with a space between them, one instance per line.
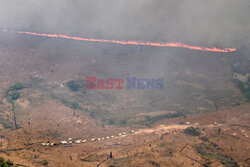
x=193 y=81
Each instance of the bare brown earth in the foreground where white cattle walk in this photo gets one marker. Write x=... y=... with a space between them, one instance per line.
x=162 y=145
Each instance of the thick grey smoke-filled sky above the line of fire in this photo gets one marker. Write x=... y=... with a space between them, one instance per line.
x=210 y=22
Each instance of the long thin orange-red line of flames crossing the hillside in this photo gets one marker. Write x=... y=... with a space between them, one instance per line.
x=158 y=44
